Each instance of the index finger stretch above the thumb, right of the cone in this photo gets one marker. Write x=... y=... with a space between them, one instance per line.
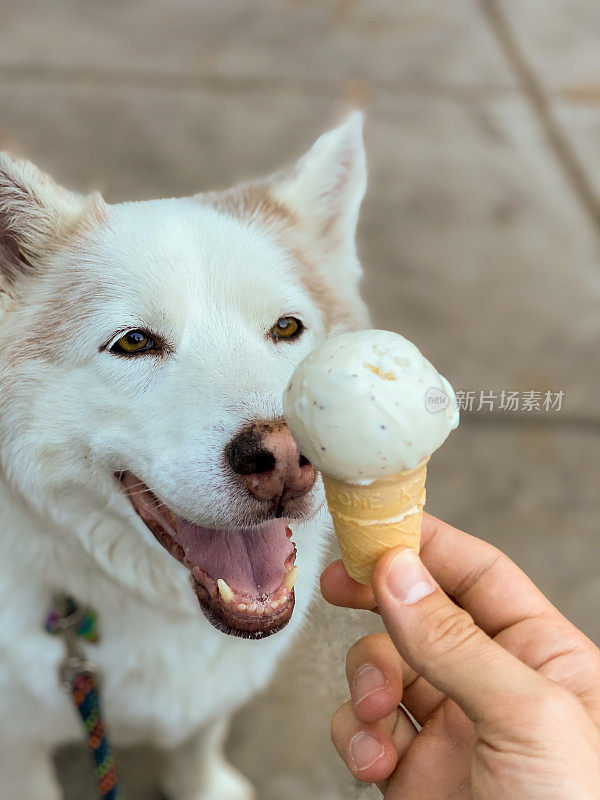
x=477 y=575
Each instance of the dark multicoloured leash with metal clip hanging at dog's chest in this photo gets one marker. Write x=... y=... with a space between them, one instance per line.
x=79 y=677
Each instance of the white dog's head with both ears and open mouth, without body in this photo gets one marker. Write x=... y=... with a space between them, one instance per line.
x=144 y=348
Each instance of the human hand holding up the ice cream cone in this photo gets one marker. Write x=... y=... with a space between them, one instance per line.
x=507 y=690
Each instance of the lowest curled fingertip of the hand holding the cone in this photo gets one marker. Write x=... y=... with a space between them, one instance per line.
x=370 y=750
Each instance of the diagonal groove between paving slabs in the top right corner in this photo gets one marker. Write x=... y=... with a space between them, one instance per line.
x=540 y=102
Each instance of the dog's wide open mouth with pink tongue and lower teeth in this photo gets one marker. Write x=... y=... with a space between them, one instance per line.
x=243 y=578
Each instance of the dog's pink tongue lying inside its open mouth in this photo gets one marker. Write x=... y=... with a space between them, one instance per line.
x=250 y=560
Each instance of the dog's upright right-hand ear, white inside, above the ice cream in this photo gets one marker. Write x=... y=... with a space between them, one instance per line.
x=326 y=187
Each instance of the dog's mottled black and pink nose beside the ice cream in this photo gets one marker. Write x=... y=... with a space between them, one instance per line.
x=268 y=458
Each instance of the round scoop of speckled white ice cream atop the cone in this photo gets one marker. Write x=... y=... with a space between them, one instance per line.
x=366 y=405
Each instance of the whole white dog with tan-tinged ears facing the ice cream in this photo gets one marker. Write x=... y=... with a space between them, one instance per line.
x=145 y=468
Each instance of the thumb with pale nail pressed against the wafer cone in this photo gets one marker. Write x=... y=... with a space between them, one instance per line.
x=441 y=642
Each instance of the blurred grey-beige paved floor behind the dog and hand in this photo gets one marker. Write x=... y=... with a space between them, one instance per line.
x=479 y=237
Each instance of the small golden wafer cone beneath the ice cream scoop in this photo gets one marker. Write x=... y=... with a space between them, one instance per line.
x=371 y=519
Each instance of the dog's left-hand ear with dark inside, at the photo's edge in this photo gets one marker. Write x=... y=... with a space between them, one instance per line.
x=34 y=214
